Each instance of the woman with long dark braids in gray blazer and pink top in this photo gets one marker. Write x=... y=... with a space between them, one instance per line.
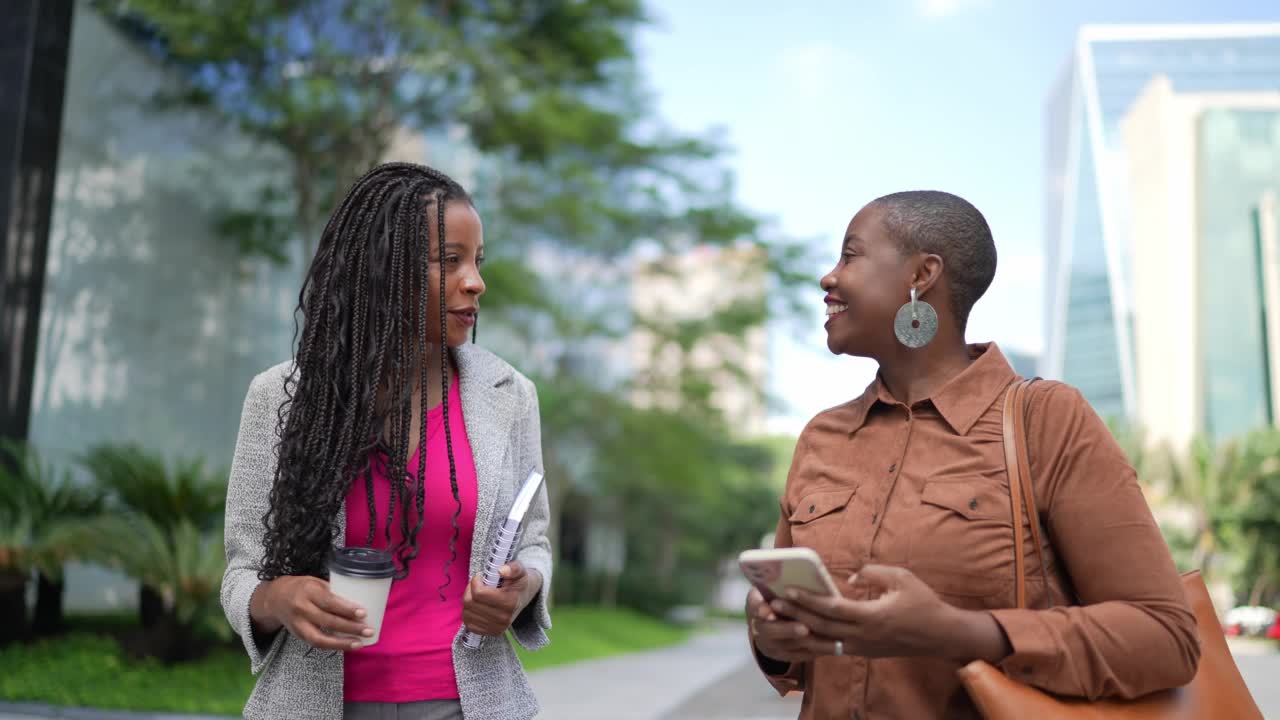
x=387 y=430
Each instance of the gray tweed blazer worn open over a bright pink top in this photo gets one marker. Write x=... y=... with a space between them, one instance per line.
x=500 y=408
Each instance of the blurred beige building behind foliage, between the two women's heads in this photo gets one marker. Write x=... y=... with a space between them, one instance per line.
x=683 y=304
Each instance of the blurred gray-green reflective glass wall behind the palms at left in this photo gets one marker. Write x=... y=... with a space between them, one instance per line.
x=152 y=325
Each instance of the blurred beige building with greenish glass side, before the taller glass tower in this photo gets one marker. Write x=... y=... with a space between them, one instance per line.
x=1201 y=167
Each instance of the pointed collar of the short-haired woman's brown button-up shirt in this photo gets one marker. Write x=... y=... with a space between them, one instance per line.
x=962 y=400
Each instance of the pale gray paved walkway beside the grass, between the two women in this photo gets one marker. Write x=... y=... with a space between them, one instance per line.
x=644 y=686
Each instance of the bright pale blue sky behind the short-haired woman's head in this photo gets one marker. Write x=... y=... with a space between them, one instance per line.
x=829 y=106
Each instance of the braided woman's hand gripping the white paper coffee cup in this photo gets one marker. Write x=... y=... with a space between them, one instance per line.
x=312 y=613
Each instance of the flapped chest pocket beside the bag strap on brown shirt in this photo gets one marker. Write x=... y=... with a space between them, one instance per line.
x=963 y=539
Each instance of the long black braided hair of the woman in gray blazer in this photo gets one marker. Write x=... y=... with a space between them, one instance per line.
x=349 y=398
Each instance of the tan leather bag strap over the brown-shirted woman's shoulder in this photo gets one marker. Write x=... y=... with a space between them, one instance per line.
x=1022 y=493
